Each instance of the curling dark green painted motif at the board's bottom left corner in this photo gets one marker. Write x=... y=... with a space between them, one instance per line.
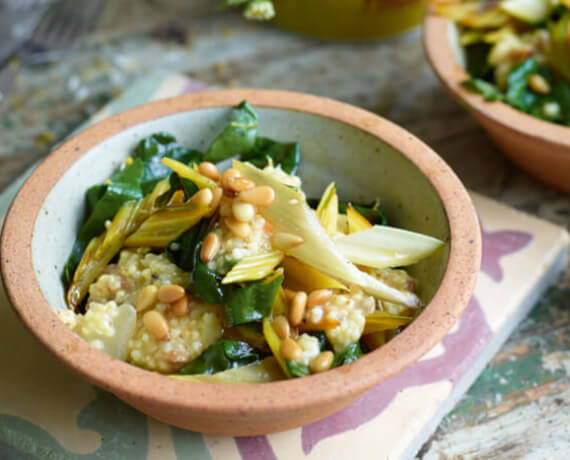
x=123 y=430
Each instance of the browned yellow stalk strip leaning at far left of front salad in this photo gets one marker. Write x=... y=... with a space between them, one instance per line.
x=100 y=251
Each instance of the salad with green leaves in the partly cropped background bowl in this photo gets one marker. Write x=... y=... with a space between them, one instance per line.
x=517 y=51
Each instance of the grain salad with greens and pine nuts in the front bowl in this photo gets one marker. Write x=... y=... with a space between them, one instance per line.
x=235 y=276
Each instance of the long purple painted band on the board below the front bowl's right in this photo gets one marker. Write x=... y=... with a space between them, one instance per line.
x=461 y=350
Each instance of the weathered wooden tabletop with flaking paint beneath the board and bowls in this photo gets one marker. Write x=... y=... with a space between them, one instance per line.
x=520 y=405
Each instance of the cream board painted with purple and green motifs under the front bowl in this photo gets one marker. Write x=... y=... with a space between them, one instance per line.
x=50 y=413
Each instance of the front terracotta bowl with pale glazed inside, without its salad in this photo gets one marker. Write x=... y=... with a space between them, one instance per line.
x=366 y=155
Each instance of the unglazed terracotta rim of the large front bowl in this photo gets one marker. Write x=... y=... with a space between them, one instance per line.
x=297 y=395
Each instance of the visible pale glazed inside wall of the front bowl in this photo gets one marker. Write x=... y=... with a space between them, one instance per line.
x=363 y=167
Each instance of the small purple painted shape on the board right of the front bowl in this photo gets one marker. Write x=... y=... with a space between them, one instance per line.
x=498 y=244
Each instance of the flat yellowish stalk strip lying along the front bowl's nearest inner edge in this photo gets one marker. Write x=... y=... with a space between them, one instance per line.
x=267 y=370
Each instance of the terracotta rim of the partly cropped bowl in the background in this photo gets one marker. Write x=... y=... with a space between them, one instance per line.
x=436 y=34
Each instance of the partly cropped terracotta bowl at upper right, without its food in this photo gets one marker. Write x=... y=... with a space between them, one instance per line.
x=539 y=147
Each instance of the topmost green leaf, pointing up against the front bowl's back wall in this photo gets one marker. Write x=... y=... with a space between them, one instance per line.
x=237 y=138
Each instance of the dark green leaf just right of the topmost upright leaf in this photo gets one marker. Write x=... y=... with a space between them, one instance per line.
x=266 y=151
